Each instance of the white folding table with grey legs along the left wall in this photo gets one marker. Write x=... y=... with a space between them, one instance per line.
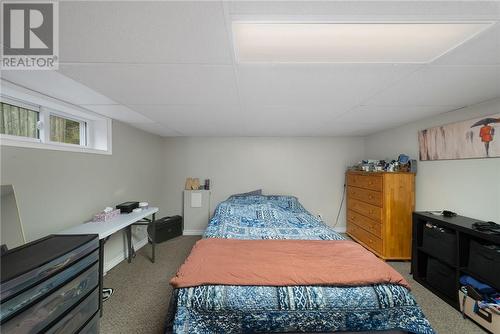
x=106 y=229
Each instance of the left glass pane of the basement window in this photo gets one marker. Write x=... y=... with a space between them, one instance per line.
x=17 y=121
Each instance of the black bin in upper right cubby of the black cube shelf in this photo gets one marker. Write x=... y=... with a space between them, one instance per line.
x=484 y=261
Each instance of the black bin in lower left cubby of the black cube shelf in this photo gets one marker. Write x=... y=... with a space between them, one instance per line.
x=441 y=277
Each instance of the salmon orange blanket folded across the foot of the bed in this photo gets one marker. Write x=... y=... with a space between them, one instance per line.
x=283 y=263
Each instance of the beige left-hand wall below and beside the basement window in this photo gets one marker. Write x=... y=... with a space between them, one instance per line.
x=57 y=189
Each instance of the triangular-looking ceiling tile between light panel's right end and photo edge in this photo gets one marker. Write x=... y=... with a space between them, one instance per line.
x=483 y=49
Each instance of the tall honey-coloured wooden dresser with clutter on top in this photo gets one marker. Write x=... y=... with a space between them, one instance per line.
x=379 y=212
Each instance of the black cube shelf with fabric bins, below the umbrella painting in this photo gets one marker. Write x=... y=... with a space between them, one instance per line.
x=445 y=248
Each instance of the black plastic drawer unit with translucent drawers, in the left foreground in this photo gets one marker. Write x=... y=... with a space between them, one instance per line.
x=51 y=285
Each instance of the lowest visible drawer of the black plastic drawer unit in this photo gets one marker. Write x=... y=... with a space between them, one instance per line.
x=78 y=316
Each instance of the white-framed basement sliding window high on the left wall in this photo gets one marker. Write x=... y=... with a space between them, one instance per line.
x=29 y=119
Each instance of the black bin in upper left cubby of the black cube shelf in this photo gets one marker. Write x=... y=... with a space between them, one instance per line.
x=442 y=245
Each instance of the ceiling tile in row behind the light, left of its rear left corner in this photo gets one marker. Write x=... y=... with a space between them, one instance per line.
x=158 y=84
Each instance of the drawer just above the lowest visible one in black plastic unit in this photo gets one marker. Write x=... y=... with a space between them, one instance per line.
x=37 y=317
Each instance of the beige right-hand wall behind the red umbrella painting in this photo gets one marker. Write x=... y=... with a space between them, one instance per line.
x=469 y=187
